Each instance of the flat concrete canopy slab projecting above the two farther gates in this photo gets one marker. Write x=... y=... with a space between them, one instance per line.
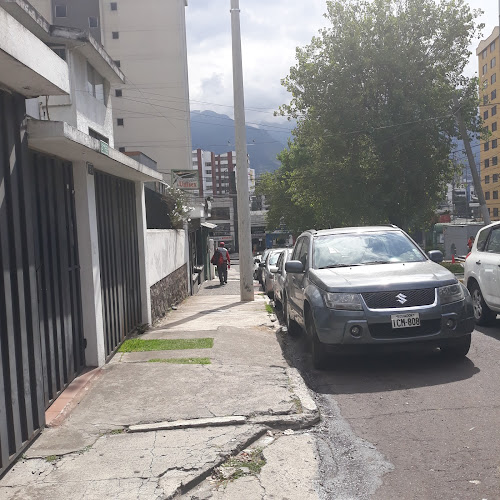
x=66 y=142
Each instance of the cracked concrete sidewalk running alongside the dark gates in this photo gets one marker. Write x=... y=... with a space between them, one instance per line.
x=156 y=430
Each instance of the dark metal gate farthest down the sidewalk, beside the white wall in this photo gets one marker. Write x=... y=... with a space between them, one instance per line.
x=118 y=256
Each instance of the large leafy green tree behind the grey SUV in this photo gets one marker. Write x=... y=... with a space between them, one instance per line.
x=373 y=97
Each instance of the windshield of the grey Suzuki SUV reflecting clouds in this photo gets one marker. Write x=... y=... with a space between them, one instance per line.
x=345 y=250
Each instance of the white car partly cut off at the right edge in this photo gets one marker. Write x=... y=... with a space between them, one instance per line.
x=482 y=274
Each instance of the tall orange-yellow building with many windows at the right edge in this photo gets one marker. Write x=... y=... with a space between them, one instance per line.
x=488 y=53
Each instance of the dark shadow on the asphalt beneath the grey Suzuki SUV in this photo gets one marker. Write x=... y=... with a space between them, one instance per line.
x=375 y=371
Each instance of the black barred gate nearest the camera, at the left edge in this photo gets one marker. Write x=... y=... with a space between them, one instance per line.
x=21 y=386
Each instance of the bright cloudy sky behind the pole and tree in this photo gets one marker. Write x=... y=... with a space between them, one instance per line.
x=271 y=30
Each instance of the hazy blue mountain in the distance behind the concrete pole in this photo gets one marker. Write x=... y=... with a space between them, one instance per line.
x=215 y=132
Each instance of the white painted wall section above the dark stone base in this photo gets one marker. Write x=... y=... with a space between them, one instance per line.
x=165 y=253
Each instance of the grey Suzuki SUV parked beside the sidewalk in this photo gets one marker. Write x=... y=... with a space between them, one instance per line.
x=373 y=286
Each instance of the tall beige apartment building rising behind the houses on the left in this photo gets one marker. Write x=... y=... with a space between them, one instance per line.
x=147 y=40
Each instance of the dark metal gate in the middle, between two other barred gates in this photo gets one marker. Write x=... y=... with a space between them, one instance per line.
x=58 y=274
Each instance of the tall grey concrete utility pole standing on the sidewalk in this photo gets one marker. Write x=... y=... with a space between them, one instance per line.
x=244 y=235
